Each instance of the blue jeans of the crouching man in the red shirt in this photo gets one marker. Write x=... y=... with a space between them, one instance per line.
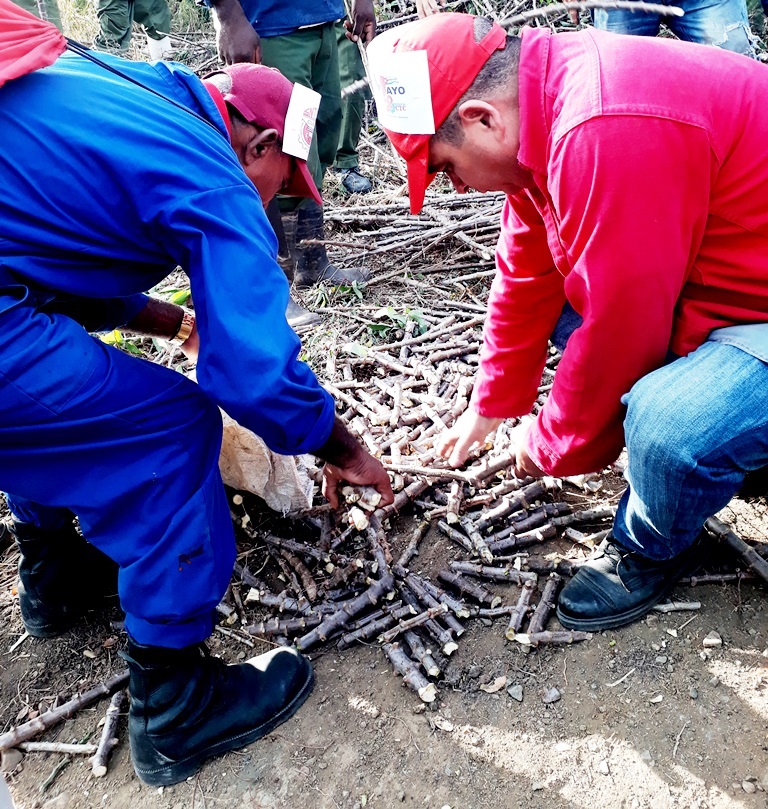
x=693 y=429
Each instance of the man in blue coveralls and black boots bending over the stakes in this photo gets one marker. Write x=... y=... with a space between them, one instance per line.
x=112 y=173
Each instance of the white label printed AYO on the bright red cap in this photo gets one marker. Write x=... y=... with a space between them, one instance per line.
x=400 y=85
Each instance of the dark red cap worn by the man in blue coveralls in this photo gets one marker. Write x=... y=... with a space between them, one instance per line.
x=264 y=97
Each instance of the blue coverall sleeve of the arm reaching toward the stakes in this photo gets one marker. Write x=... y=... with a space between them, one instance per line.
x=248 y=361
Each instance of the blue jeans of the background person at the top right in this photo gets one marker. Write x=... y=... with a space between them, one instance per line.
x=710 y=22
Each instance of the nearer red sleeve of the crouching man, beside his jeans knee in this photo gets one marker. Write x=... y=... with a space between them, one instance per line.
x=631 y=196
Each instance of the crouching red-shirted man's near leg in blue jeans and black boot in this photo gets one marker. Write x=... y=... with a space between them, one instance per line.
x=693 y=428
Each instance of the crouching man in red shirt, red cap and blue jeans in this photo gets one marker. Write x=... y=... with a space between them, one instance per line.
x=635 y=178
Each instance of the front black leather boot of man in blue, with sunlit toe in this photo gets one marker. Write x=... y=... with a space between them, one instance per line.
x=187 y=706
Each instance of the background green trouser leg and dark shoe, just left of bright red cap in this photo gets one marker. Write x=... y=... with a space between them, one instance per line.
x=351 y=69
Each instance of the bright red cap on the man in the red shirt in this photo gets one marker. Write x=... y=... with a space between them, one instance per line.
x=454 y=57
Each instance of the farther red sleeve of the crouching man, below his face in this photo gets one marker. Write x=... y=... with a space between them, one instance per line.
x=524 y=304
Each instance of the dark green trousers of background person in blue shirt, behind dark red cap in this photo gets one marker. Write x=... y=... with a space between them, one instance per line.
x=310 y=56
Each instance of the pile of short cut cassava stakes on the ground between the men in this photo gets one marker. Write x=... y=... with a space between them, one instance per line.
x=344 y=585
